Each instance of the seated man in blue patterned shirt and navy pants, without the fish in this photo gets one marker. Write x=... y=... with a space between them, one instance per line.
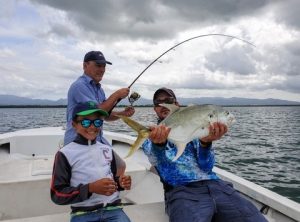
x=193 y=192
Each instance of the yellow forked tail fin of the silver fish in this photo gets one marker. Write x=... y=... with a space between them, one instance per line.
x=143 y=134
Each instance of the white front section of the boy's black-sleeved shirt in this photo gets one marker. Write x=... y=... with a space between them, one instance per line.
x=89 y=163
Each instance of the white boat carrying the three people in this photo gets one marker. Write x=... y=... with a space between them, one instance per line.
x=26 y=160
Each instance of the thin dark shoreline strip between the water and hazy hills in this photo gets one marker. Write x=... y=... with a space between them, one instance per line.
x=139 y=106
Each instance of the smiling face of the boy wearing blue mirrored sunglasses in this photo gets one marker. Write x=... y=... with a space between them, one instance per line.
x=91 y=132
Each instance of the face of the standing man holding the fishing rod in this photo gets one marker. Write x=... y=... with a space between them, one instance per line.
x=94 y=70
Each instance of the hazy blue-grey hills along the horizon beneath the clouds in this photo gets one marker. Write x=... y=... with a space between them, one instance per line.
x=10 y=100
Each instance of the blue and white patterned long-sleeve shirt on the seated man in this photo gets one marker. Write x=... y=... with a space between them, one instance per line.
x=195 y=164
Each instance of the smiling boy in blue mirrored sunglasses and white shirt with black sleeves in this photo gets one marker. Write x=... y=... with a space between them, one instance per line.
x=84 y=171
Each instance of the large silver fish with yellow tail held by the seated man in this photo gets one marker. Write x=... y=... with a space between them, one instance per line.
x=186 y=123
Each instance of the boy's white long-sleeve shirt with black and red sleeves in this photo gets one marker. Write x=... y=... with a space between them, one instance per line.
x=76 y=165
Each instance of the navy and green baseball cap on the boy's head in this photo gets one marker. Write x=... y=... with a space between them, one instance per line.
x=87 y=108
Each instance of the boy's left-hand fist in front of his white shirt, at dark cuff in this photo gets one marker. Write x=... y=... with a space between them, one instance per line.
x=105 y=186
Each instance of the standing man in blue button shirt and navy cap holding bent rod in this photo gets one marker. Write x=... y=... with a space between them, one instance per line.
x=88 y=88
